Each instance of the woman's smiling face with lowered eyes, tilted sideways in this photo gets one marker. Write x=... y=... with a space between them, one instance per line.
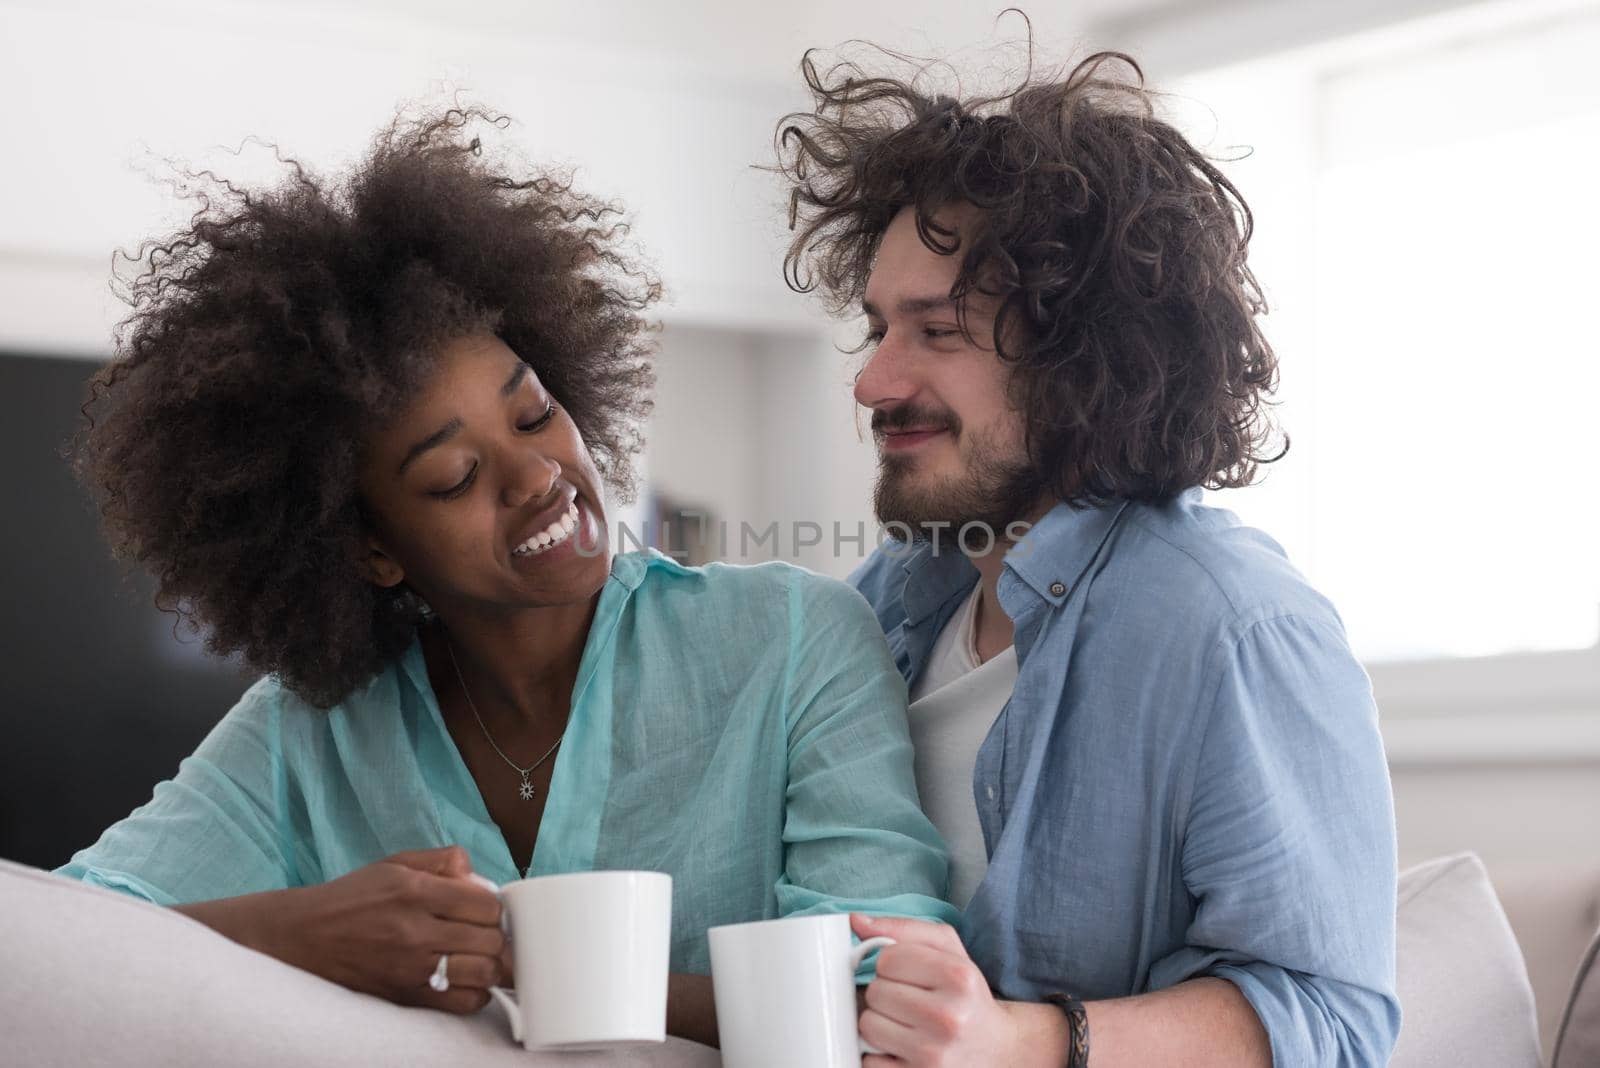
x=482 y=495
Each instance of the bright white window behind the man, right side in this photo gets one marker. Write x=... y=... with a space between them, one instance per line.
x=1430 y=237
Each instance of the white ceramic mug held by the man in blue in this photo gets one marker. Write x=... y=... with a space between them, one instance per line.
x=786 y=992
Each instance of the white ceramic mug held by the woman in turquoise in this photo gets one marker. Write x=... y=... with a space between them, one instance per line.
x=591 y=955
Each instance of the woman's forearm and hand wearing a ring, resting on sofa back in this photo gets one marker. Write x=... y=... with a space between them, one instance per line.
x=382 y=930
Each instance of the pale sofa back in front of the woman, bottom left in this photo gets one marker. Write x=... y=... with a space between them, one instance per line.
x=95 y=978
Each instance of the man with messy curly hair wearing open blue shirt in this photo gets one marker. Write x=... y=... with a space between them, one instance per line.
x=1140 y=730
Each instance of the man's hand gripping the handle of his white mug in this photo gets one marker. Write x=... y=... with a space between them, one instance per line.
x=932 y=1008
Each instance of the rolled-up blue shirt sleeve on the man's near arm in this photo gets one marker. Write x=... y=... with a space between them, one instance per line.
x=1290 y=850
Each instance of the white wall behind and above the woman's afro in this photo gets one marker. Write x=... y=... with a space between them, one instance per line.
x=95 y=92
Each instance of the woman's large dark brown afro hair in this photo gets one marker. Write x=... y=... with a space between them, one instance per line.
x=281 y=327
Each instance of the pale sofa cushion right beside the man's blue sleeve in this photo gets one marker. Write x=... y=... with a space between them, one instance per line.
x=1465 y=990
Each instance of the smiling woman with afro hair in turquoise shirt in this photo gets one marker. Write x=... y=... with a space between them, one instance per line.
x=362 y=434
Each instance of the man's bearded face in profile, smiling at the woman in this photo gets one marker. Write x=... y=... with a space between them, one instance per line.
x=951 y=445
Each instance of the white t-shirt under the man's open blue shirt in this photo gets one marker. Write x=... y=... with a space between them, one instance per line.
x=954 y=704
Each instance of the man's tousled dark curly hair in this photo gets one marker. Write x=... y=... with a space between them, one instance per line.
x=1114 y=247
